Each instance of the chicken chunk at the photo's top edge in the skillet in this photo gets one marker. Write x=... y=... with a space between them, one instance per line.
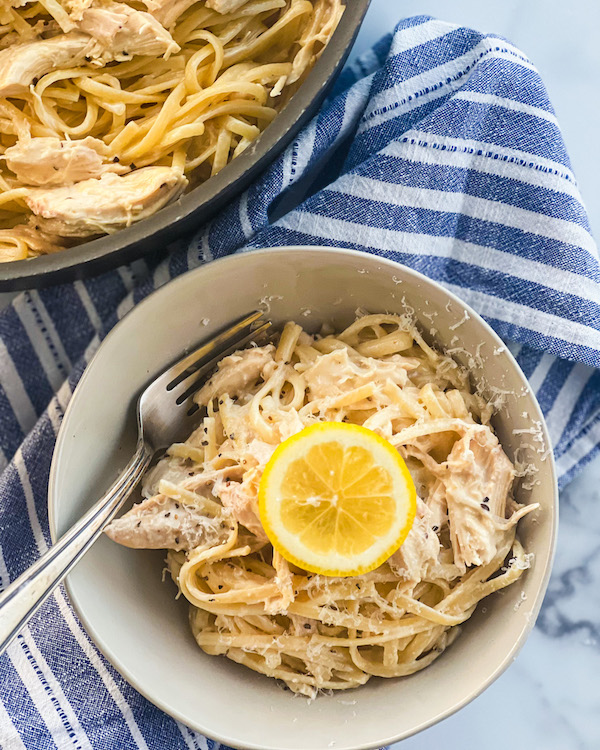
x=122 y=32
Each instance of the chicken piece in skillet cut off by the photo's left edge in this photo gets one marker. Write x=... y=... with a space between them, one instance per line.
x=22 y=64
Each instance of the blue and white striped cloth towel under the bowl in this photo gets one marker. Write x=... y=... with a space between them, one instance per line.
x=440 y=149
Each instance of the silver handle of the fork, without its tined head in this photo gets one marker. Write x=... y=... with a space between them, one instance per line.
x=23 y=597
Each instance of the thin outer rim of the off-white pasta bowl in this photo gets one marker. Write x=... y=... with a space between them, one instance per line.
x=231 y=260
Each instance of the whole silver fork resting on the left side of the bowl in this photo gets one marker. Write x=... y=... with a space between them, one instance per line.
x=165 y=415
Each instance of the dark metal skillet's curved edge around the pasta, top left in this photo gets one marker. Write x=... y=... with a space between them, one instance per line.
x=199 y=204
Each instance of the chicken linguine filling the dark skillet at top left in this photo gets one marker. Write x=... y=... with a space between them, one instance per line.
x=109 y=110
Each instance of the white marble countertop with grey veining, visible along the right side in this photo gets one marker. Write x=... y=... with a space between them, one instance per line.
x=549 y=699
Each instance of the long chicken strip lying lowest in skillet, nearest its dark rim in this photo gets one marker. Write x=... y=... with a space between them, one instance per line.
x=104 y=205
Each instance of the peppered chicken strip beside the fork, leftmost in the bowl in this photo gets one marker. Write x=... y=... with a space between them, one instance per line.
x=164 y=523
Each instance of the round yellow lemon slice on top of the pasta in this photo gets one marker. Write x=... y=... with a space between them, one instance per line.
x=336 y=499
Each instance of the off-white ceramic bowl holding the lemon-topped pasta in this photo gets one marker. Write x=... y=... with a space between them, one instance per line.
x=133 y=616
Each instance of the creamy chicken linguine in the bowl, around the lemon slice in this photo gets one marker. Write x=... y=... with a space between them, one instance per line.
x=316 y=632
